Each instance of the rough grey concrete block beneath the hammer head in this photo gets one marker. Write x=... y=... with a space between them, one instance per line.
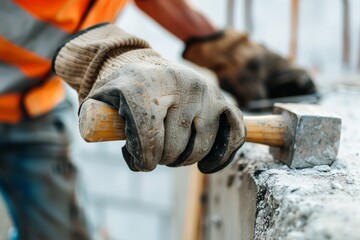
x=259 y=198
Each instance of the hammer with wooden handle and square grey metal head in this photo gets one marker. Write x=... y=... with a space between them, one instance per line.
x=300 y=135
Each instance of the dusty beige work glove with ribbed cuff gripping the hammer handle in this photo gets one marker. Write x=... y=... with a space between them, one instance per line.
x=173 y=116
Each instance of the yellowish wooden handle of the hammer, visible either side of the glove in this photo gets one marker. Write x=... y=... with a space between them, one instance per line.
x=101 y=122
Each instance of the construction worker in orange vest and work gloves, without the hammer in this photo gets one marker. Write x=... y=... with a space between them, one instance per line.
x=174 y=117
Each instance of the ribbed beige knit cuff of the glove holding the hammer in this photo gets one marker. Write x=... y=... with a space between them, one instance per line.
x=80 y=59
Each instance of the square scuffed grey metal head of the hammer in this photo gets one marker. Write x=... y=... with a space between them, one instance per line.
x=313 y=135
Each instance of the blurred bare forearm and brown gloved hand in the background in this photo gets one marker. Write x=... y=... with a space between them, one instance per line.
x=247 y=70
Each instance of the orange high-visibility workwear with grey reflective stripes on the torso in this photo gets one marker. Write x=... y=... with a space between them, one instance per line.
x=30 y=32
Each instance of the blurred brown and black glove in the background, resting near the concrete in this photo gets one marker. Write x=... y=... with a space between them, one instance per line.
x=247 y=70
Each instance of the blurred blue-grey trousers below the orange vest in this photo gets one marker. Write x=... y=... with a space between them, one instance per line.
x=38 y=179
